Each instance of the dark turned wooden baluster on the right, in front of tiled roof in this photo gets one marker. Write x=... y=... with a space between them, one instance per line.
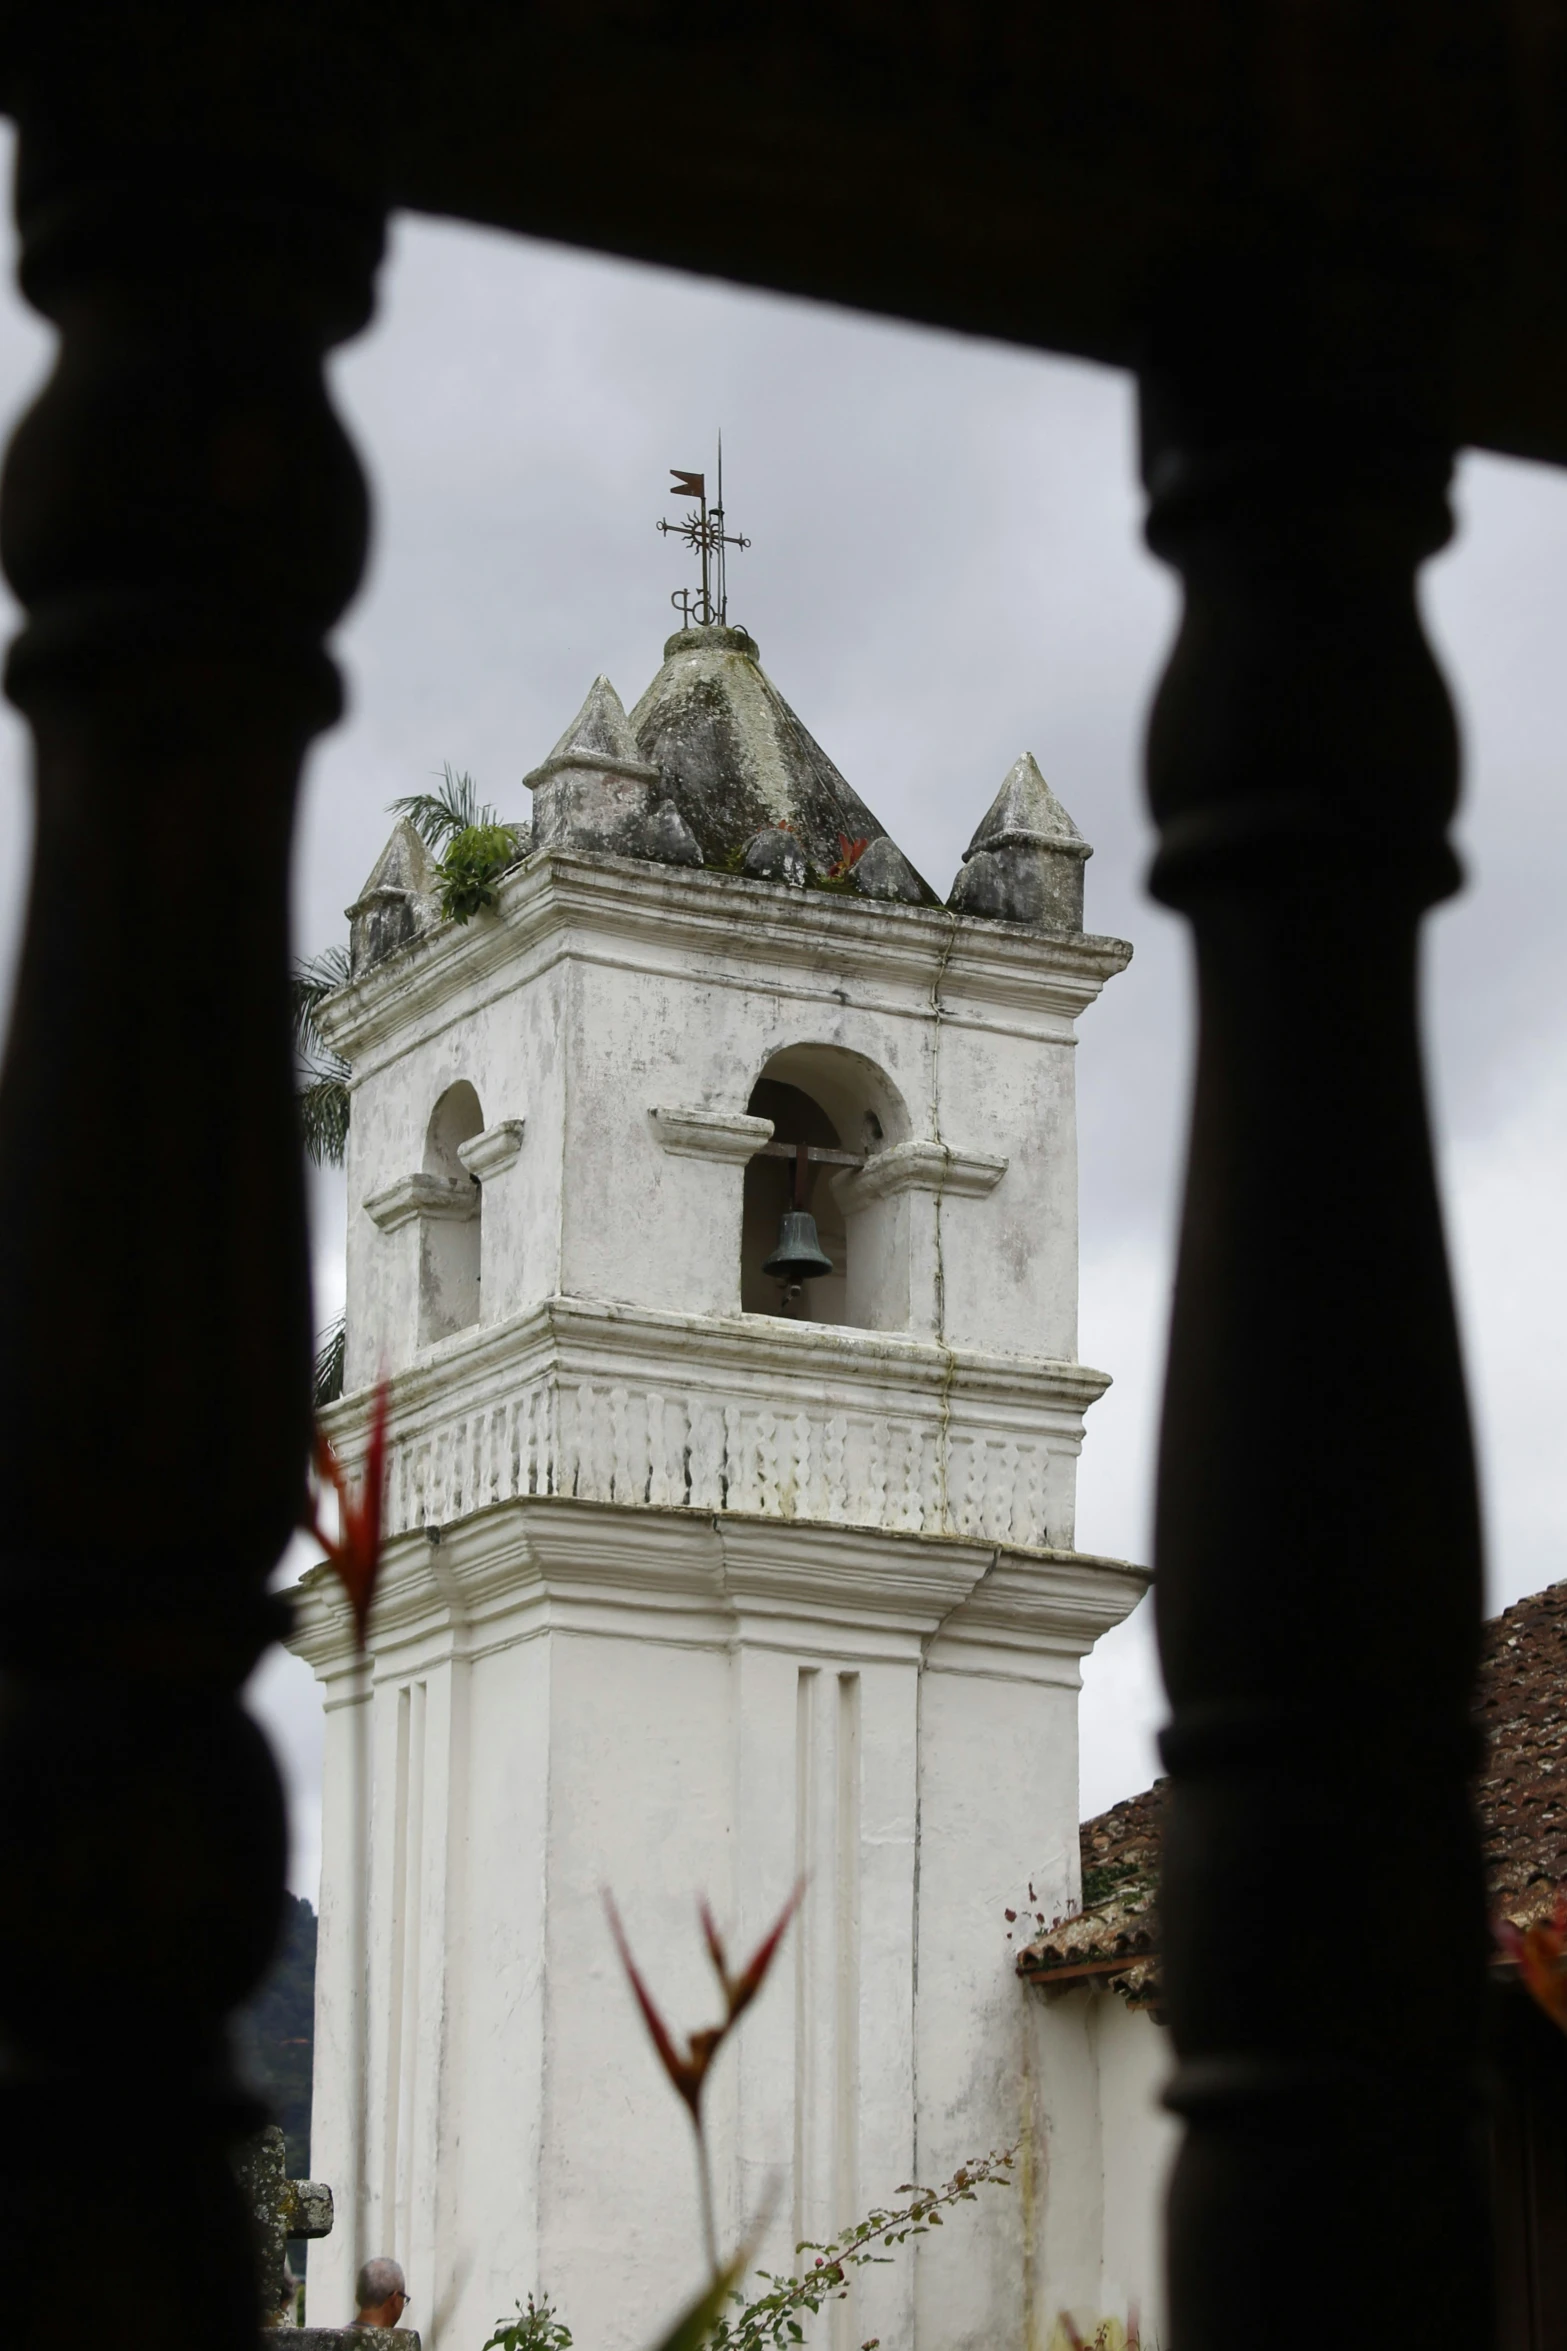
x=1319 y=1567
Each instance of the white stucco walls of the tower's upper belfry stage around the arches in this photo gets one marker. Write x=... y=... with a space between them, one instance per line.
x=610 y=989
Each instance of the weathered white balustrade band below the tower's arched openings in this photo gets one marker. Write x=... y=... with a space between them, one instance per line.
x=753 y=1414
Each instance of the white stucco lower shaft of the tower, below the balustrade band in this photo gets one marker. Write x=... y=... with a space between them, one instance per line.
x=577 y=1696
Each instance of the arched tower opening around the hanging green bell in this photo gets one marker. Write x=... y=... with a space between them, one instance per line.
x=835 y=1101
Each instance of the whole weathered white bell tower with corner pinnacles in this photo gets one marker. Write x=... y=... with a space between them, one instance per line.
x=701 y=1581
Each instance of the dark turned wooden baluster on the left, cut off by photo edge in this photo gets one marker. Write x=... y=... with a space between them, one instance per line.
x=184 y=521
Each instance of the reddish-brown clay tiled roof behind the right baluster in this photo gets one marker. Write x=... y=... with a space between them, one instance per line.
x=1521 y=1797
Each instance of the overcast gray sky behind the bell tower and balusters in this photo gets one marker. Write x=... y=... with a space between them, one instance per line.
x=946 y=572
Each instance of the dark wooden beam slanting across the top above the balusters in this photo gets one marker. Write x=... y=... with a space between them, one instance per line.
x=1033 y=170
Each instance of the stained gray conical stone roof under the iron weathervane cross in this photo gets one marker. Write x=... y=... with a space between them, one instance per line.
x=734 y=756
